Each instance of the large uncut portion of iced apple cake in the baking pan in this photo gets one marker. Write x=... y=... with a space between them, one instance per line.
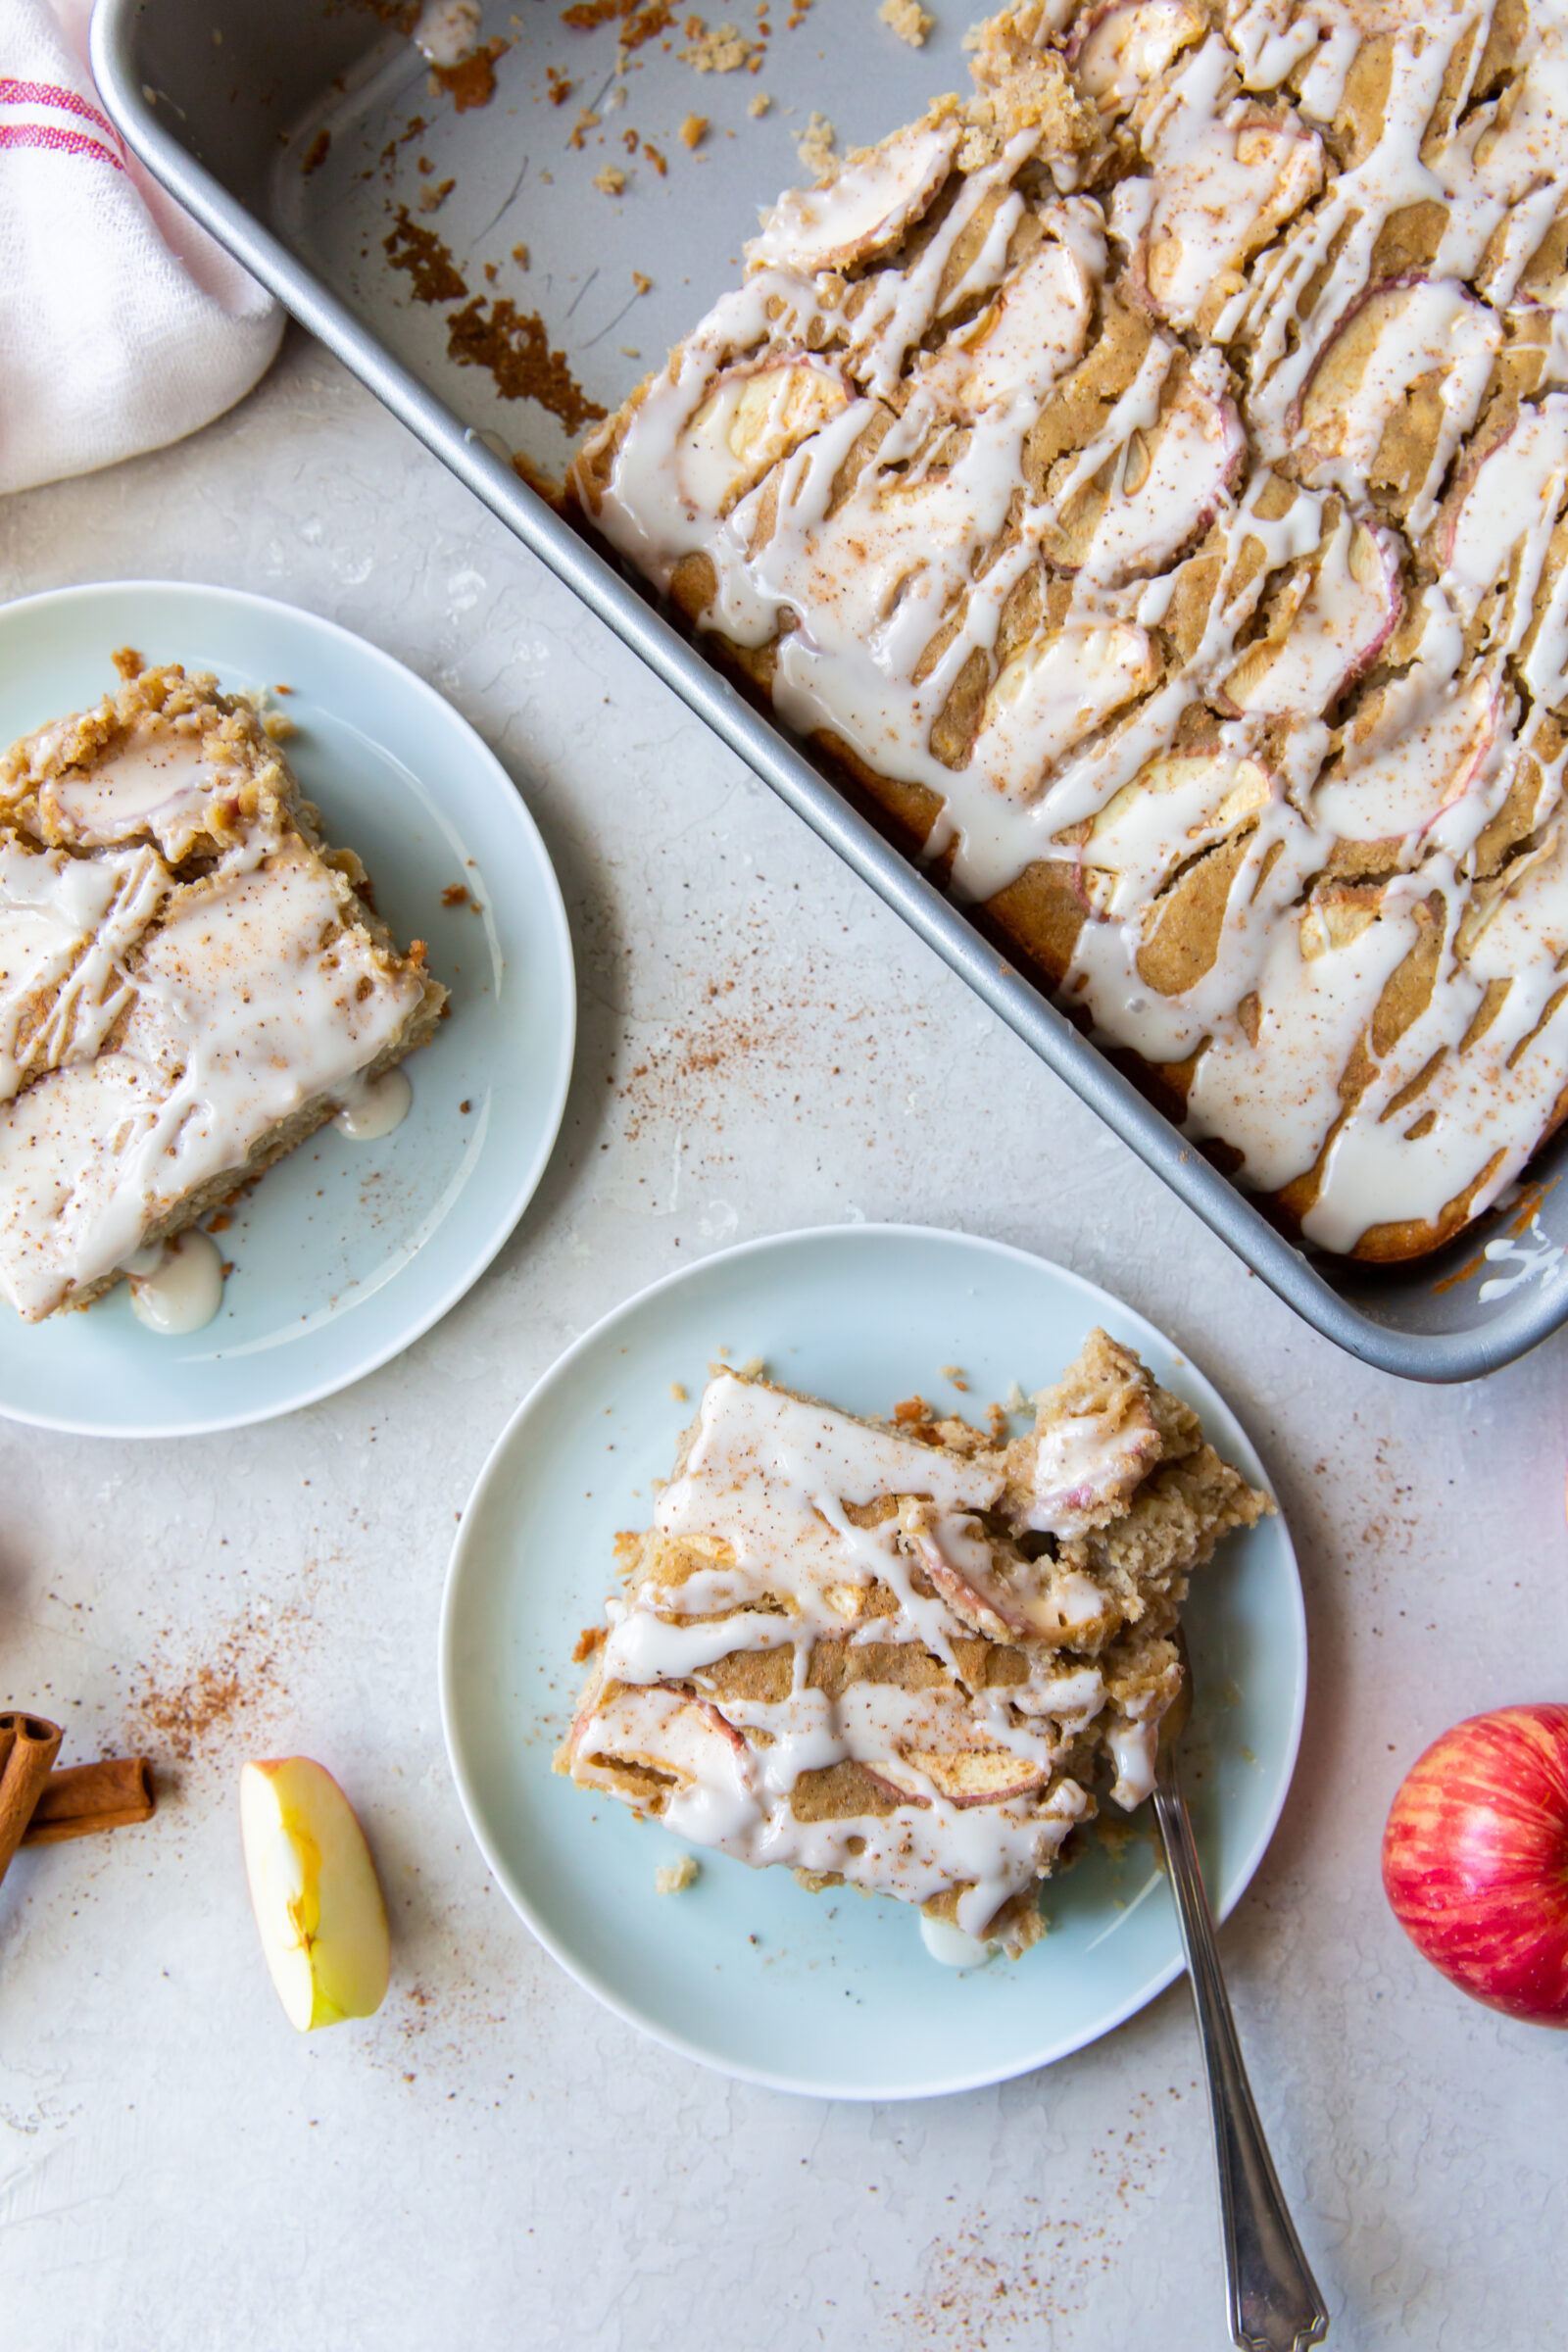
x=1144 y=479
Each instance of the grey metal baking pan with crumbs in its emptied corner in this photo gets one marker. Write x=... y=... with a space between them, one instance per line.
x=307 y=133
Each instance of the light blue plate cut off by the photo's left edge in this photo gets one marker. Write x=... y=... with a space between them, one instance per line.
x=344 y=1252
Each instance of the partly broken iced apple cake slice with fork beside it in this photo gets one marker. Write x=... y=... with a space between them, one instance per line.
x=906 y=1655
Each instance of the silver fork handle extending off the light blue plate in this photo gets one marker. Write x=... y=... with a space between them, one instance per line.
x=1275 y=2304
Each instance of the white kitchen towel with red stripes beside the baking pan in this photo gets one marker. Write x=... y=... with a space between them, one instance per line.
x=121 y=323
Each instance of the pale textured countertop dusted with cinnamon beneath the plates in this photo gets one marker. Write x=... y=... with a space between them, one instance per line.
x=495 y=2160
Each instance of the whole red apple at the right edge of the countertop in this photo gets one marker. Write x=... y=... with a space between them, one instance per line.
x=1475 y=1859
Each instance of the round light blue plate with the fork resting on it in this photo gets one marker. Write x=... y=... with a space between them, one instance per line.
x=749 y=1972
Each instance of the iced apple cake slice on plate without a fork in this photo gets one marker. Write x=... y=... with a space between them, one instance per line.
x=189 y=980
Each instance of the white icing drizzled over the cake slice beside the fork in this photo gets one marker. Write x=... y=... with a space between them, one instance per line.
x=775 y=1492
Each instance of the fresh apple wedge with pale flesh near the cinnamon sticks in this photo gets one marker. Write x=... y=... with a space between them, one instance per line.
x=314 y=1890
